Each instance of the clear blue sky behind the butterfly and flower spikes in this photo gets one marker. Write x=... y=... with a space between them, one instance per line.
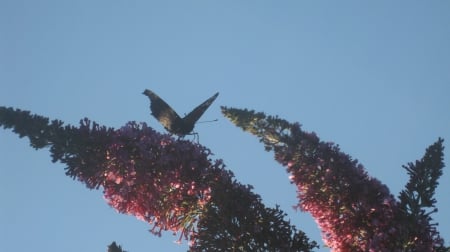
x=373 y=77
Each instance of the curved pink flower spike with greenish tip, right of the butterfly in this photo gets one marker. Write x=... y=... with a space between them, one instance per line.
x=354 y=211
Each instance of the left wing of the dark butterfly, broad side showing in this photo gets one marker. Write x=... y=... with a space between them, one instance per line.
x=164 y=113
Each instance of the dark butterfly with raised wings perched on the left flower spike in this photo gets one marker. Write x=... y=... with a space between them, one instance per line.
x=171 y=121
